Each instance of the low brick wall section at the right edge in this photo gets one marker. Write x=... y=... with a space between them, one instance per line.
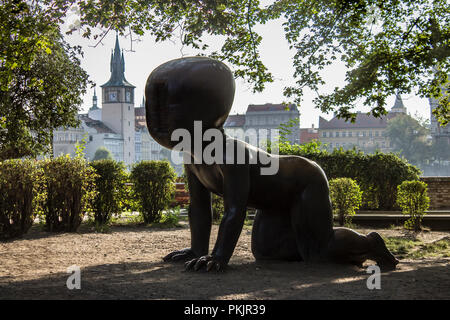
x=438 y=191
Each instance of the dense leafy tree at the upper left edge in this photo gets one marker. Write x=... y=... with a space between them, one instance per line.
x=41 y=81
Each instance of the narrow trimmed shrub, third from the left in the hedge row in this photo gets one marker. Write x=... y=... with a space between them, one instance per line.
x=110 y=185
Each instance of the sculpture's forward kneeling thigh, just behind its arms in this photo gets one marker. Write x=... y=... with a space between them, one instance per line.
x=273 y=237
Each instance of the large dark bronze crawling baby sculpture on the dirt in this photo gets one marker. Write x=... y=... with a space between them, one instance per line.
x=294 y=217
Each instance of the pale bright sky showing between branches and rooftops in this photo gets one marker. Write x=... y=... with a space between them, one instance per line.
x=147 y=55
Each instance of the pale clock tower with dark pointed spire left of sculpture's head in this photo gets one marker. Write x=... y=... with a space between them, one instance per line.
x=118 y=104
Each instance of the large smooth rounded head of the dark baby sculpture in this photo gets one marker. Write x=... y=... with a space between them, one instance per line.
x=185 y=90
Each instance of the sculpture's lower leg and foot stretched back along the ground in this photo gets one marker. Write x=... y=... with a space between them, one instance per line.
x=348 y=246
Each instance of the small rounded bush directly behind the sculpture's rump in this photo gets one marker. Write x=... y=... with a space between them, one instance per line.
x=345 y=197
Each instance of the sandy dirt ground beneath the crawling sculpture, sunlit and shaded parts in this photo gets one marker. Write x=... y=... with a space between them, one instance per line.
x=126 y=264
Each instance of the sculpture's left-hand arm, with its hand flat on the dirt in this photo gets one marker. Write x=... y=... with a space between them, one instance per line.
x=200 y=220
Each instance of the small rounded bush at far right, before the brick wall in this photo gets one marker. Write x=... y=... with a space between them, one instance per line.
x=413 y=200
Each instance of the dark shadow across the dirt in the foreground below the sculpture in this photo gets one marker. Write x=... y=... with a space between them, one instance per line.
x=140 y=280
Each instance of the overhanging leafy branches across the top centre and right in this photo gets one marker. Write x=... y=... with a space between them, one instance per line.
x=387 y=45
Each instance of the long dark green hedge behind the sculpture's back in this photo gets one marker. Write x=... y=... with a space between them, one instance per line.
x=378 y=175
